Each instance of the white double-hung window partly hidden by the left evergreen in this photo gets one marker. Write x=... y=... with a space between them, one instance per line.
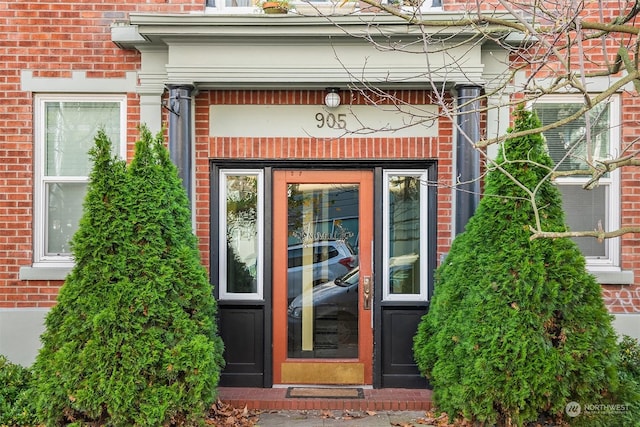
x=65 y=129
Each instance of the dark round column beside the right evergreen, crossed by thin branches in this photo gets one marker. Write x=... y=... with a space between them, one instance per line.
x=467 y=157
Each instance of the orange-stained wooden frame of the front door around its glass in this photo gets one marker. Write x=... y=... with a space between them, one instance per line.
x=360 y=370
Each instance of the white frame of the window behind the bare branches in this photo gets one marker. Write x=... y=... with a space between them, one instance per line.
x=612 y=182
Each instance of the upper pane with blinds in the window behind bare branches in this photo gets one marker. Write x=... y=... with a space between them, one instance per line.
x=569 y=145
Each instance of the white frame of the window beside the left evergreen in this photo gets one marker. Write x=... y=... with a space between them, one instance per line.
x=41 y=258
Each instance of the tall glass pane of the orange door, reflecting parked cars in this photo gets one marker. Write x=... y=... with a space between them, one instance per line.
x=322 y=274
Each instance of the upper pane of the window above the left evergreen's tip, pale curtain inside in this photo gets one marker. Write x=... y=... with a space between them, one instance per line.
x=70 y=130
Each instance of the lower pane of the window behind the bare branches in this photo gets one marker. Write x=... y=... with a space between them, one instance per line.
x=587 y=209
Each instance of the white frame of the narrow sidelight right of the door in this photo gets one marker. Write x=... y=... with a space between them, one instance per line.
x=421 y=174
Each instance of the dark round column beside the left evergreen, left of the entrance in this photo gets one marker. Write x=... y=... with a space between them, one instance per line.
x=180 y=117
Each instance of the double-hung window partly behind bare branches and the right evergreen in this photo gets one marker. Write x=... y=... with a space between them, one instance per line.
x=573 y=146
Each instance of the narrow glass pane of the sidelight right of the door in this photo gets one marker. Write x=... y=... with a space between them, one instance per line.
x=404 y=234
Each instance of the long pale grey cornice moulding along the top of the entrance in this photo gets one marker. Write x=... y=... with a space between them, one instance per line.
x=155 y=28
